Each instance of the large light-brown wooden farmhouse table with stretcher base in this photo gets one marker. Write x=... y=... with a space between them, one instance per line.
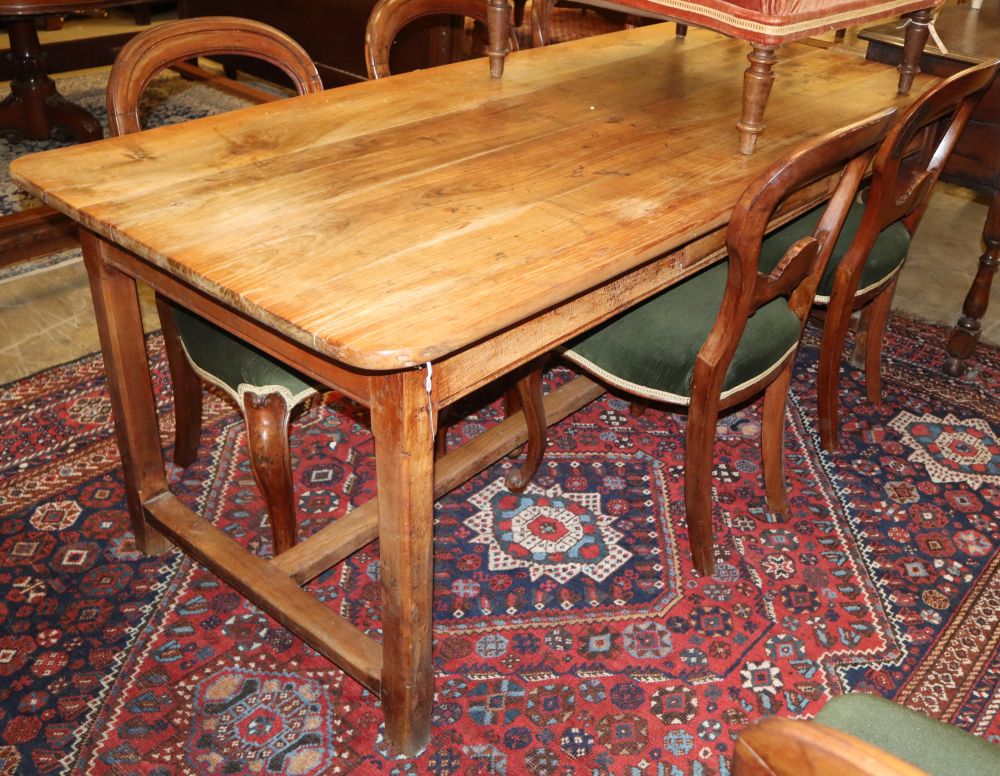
x=407 y=241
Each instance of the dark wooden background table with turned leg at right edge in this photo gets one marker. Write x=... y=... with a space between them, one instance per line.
x=971 y=36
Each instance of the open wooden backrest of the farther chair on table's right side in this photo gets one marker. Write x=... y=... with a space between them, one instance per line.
x=911 y=160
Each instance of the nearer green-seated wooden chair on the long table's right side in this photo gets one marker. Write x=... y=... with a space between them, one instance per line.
x=731 y=331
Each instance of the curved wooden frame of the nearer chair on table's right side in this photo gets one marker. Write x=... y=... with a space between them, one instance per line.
x=846 y=153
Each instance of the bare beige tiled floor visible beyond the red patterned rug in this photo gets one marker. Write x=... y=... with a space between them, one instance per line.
x=46 y=316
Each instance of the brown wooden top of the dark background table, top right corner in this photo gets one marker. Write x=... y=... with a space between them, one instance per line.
x=970 y=35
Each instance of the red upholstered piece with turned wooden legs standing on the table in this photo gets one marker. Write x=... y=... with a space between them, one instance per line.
x=765 y=25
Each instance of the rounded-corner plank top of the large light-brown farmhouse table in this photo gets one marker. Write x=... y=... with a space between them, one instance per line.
x=393 y=222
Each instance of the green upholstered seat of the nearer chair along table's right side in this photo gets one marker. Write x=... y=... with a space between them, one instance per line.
x=651 y=349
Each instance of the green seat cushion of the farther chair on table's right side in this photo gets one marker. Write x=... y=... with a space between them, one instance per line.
x=886 y=256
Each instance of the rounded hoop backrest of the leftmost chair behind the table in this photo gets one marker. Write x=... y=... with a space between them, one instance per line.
x=159 y=47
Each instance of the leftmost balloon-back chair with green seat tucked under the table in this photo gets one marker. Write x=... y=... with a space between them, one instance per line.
x=265 y=390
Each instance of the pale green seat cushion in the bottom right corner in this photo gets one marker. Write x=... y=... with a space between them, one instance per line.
x=939 y=749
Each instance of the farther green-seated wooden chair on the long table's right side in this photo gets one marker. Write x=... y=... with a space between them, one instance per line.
x=872 y=248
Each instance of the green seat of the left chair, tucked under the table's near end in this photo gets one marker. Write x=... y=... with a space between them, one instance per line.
x=235 y=366
